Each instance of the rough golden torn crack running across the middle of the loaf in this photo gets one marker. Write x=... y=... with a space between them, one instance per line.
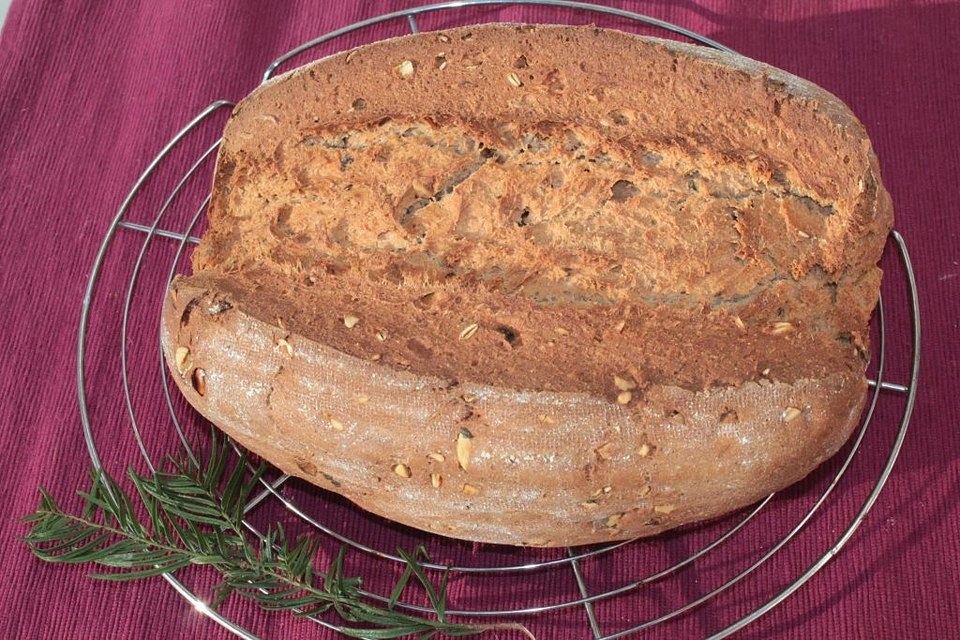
x=563 y=215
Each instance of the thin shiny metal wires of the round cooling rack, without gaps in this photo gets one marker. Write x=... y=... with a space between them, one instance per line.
x=574 y=559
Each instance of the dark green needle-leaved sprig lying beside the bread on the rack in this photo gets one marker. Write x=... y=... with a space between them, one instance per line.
x=194 y=515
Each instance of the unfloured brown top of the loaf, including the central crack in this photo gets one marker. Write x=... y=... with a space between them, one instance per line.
x=553 y=208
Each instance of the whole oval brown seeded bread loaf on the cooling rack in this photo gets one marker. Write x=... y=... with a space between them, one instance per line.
x=536 y=285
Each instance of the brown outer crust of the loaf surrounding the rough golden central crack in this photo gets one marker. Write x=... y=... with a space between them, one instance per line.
x=564 y=463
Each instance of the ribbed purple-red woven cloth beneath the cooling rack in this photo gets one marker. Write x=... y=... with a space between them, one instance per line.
x=90 y=91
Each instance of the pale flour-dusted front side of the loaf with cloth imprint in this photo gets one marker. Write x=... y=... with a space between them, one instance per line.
x=484 y=463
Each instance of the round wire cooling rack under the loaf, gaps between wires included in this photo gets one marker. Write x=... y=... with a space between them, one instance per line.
x=178 y=180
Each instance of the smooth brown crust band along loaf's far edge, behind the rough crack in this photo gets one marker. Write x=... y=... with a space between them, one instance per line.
x=803 y=128
